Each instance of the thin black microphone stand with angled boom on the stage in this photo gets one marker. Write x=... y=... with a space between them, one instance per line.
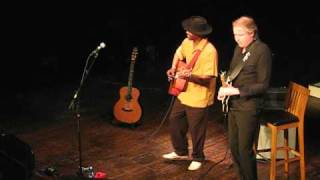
x=75 y=106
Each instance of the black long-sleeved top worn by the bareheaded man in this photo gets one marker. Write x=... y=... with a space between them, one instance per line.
x=253 y=79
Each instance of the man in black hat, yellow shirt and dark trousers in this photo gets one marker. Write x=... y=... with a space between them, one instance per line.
x=191 y=106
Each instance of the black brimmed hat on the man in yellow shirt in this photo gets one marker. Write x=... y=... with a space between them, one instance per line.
x=197 y=25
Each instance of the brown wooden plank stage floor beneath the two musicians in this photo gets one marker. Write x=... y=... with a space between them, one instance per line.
x=128 y=152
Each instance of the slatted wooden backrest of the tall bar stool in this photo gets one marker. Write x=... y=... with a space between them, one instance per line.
x=296 y=100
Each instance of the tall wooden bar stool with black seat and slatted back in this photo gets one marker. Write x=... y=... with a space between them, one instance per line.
x=291 y=117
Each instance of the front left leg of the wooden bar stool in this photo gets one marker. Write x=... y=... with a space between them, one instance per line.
x=274 y=134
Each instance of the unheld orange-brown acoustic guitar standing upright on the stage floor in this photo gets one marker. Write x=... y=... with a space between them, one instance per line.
x=127 y=109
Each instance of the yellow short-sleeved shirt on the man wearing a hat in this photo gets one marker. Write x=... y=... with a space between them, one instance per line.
x=207 y=64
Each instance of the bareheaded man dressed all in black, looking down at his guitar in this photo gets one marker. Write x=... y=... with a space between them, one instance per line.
x=245 y=94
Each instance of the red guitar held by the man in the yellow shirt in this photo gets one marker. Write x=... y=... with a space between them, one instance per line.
x=178 y=85
